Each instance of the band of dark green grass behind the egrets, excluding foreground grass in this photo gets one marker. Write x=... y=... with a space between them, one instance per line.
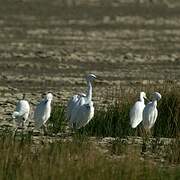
x=113 y=120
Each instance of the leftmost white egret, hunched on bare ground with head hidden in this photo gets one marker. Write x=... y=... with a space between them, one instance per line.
x=21 y=113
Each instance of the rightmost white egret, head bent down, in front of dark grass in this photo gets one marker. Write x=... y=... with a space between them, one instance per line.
x=150 y=112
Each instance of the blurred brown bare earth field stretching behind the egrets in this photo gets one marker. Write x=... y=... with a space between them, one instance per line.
x=51 y=45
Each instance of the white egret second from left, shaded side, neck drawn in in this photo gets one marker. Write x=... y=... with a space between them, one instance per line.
x=43 y=111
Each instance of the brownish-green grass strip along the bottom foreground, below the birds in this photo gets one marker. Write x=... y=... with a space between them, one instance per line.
x=76 y=159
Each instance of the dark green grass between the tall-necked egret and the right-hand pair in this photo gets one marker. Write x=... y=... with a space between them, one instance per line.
x=112 y=122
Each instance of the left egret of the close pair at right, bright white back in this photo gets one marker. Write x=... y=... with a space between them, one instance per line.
x=136 y=112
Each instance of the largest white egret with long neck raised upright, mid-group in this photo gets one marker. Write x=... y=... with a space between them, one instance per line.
x=80 y=109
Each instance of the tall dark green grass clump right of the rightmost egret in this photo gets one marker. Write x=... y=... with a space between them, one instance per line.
x=168 y=122
